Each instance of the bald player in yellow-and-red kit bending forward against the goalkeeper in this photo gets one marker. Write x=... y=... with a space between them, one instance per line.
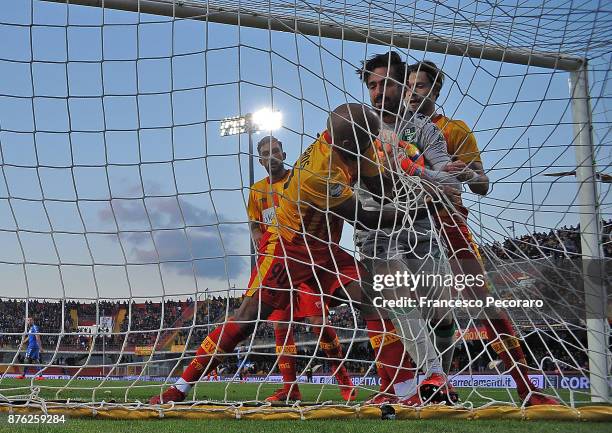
x=302 y=244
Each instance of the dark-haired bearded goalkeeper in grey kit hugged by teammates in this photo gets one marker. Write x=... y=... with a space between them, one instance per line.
x=415 y=249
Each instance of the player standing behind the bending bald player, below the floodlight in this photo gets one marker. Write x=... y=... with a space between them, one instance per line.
x=263 y=200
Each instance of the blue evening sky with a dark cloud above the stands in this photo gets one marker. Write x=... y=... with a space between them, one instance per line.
x=115 y=181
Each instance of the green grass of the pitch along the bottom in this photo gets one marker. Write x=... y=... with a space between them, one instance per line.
x=82 y=390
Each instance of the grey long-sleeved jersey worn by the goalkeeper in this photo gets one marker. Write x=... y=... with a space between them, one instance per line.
x=417 y=129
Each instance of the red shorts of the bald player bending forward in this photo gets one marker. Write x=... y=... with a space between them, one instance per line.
x=286 y=275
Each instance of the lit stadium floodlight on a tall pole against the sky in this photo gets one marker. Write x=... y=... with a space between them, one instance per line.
x=263 y=120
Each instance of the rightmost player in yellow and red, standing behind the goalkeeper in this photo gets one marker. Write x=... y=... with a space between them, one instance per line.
x=425 y=81
